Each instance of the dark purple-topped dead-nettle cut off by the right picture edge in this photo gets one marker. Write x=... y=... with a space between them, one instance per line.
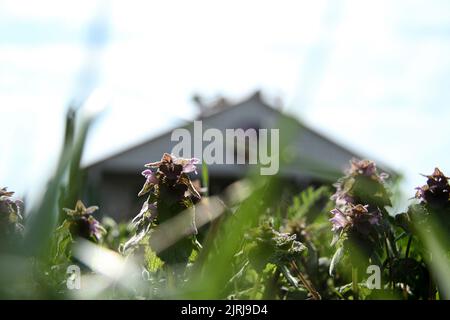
x=425 y=220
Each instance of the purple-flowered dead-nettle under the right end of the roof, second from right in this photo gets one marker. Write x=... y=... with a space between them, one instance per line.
x=360 y=222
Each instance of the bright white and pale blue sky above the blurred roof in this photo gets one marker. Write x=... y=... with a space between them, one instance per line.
x=371 y=75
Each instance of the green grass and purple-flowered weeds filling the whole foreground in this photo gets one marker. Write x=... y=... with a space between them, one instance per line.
x=249 y=243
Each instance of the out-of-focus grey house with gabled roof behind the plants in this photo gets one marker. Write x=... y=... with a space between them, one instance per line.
x=306 y=157
